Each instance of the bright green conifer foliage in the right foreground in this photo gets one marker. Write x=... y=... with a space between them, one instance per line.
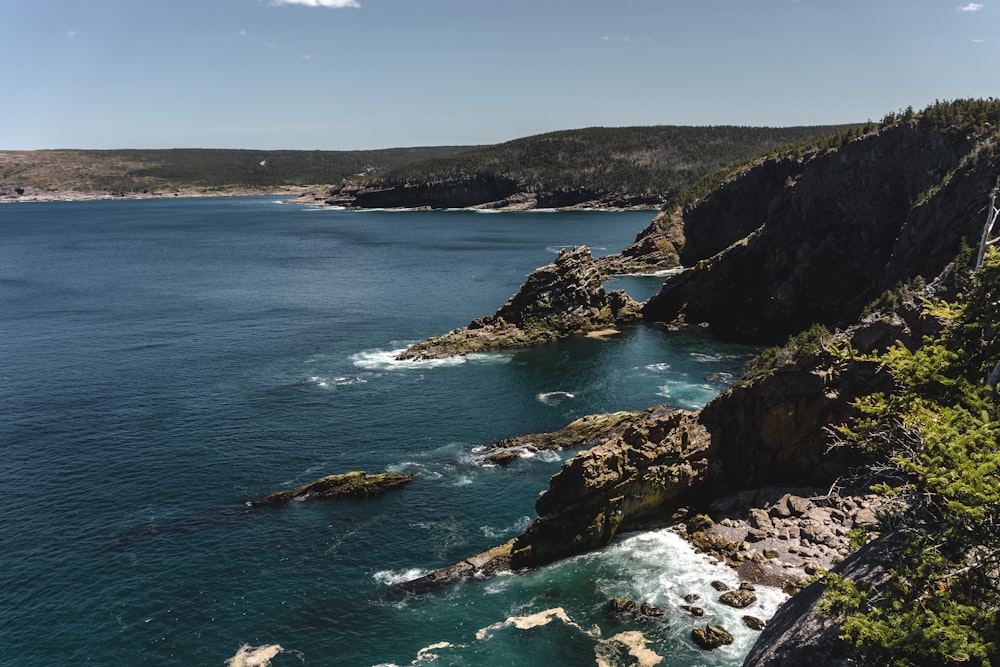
x=937 y=436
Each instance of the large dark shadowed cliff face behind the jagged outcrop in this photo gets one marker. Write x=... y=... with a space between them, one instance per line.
x=793 y=242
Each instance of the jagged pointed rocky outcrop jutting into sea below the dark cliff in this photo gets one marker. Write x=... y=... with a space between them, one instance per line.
x=561 y=299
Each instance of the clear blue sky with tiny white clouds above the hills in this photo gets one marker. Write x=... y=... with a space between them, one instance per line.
x=361 y=74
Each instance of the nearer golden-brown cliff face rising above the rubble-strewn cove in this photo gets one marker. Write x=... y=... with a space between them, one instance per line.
x=769 y=431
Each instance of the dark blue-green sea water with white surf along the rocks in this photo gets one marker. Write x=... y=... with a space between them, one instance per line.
x=162 y=362
